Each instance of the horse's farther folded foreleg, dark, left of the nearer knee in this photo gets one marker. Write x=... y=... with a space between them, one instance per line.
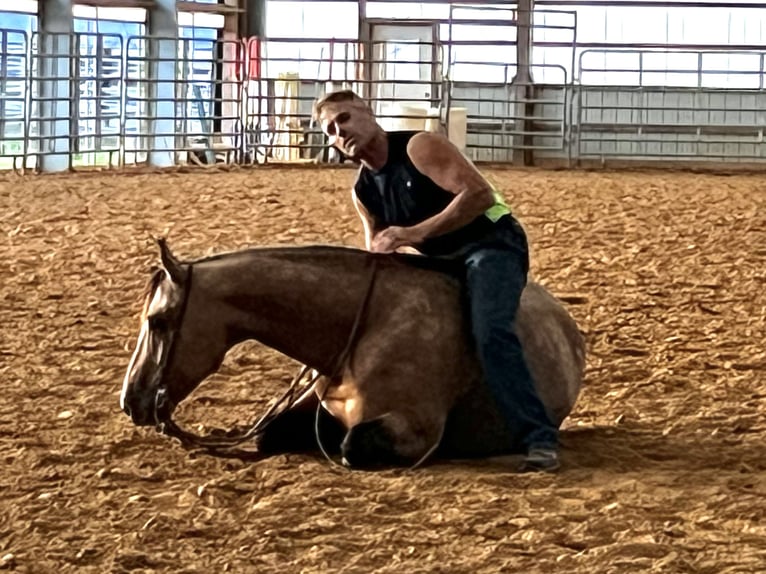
x=295 y=429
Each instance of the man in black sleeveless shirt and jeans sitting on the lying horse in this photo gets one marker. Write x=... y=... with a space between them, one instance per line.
x=415 y=189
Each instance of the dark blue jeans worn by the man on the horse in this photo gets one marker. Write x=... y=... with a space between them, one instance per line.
x=495 y=277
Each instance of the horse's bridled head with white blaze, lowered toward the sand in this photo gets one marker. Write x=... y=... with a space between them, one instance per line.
x=177 y=345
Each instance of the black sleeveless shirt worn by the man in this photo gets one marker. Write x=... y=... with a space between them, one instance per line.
x=398 y=194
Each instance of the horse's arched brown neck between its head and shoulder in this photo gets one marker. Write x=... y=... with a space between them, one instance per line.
x=301 y=302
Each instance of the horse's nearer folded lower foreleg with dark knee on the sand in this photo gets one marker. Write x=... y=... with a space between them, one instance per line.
x=391 y=439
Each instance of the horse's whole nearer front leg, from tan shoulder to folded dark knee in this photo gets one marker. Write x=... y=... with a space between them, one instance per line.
x=401 y=387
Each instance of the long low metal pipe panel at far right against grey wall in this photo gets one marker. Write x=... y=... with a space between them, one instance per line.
x=684 y=124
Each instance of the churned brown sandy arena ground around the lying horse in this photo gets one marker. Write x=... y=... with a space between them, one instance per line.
x=664 y=455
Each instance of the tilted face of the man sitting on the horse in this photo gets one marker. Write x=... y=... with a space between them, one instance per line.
x=349 y=125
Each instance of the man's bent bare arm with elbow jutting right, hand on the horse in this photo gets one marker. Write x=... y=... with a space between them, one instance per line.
x=439 y=159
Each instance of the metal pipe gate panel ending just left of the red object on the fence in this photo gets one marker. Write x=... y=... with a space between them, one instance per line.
x=183 y=96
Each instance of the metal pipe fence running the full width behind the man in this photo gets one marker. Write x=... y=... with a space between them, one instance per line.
x=103 y=99
